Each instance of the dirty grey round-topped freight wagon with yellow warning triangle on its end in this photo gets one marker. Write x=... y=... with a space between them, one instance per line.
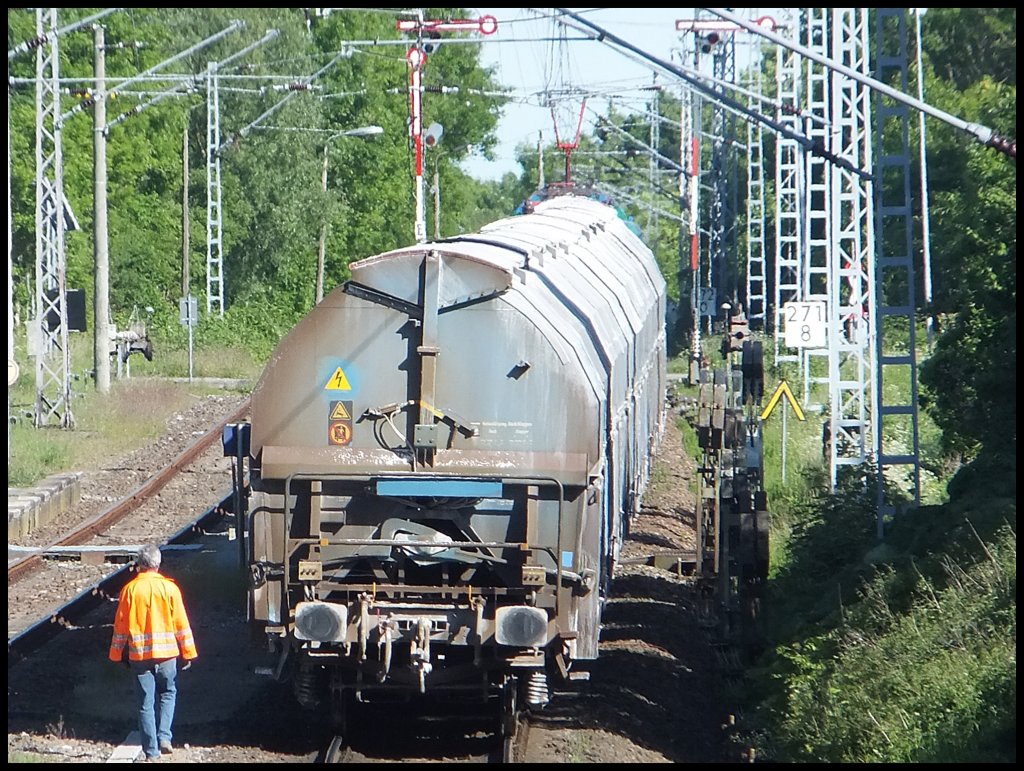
x=444 y=458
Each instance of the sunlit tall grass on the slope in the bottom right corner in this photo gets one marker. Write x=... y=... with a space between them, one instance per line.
x=920 y=674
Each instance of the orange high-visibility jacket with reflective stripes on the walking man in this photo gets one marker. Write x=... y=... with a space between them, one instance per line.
x=152 y=621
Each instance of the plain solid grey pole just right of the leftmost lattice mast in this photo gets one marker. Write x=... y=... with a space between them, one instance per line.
x=102 y=357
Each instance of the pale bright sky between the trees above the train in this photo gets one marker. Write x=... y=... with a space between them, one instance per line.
x=535 y=64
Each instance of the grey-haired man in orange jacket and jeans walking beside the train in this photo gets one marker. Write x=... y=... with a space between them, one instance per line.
x=151 y=631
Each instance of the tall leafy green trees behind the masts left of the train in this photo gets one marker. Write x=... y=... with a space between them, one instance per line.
x=274 y=205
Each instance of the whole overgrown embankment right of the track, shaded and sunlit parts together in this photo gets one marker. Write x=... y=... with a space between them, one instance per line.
x=900 y=651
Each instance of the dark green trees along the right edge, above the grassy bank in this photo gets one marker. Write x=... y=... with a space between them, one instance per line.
x=974 y=189
